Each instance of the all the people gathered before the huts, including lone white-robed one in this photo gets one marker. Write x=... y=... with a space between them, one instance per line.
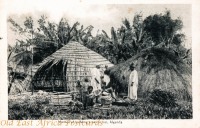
x=92 y=91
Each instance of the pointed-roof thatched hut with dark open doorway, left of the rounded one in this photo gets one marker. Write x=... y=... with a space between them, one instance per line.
x=61 y=70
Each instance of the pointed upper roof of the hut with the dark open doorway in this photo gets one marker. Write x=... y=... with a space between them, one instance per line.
x=76 y=53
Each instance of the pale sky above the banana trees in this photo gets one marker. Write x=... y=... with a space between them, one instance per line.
x=101 y=16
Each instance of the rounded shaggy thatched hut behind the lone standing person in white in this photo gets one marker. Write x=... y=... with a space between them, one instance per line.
x=158 y=68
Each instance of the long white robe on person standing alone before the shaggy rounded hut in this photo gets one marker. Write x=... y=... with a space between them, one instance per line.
x=132 y=90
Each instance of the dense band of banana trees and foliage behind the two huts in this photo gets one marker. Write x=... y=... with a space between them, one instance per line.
x=155 y=30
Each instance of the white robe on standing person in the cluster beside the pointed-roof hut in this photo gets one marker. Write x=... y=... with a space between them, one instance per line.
x=96 y=76
